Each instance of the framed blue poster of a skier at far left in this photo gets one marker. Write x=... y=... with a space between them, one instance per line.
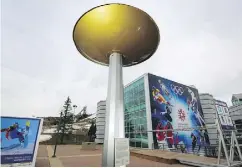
x=19 y=137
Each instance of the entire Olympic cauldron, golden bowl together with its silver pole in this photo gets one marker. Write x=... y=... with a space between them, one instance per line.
x=115 y=35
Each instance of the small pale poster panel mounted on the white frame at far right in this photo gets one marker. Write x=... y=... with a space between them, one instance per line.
x=223 y=115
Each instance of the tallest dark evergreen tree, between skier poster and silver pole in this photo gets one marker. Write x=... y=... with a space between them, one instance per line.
x=67 y=119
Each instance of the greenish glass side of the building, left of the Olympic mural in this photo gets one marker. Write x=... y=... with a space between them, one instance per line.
x=136 y=113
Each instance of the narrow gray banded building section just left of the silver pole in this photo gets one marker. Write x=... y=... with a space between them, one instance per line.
x=100 y=121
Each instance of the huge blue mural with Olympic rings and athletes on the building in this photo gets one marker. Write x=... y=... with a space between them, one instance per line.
x=176 y=106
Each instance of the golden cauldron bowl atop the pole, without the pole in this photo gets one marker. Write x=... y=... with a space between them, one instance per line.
x=116 y=28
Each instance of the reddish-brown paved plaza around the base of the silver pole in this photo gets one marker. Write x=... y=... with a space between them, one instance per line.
x=74 y=156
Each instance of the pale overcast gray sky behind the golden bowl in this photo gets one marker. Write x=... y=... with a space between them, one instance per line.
x=200 y=45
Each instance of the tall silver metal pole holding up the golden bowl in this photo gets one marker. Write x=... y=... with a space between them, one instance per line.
x=114 y=126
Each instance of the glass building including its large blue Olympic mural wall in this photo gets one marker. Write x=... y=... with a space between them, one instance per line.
x=155 y=105
